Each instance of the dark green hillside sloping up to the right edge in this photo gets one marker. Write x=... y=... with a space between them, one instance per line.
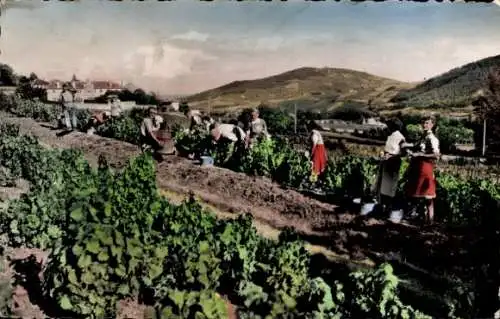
x=453 y=89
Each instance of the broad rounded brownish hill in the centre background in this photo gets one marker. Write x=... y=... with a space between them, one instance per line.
x=317 y=89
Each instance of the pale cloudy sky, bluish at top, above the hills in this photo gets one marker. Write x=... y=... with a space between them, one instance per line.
x=187 y=46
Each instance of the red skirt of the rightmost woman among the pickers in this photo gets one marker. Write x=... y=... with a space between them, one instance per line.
x=421 y=180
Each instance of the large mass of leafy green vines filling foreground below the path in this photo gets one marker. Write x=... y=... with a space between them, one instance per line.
x=117 y=238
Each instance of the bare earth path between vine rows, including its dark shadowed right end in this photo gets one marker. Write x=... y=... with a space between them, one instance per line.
x=424 y=256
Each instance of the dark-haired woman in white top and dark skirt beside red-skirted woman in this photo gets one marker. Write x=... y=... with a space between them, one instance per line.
x=388 y=177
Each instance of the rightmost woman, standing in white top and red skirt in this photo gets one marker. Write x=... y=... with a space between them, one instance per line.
x=421 y=182
